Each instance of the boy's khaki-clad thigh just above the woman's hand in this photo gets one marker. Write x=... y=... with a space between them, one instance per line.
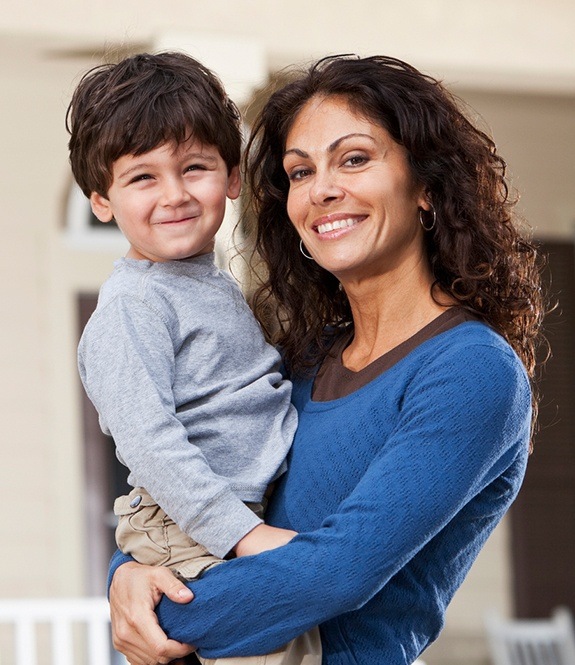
x=152 y=537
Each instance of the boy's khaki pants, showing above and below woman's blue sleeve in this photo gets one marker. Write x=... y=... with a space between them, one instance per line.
x=147 y=533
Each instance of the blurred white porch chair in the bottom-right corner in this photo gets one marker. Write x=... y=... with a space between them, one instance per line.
x=532 y=641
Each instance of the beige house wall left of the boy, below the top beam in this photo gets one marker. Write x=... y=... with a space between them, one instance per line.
x=40 y=477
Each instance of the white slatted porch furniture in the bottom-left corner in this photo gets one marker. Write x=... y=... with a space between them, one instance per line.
x=67 y=645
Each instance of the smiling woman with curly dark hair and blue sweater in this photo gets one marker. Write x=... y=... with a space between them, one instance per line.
x=408 y=322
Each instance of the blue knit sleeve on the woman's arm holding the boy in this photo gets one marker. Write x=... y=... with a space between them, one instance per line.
x=457 y=433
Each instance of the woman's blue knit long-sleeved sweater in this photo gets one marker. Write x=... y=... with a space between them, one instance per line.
x=394 y=489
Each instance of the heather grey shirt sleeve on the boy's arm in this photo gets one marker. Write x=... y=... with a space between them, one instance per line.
x=126 y=362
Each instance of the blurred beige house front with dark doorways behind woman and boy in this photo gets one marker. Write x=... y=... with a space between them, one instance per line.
x=513 y=61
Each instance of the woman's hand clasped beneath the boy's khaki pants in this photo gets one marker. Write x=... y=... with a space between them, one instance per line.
x=134 y=593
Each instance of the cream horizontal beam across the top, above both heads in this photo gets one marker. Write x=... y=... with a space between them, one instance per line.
x=516 y=41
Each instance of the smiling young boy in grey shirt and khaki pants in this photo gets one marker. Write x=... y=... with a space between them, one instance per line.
x=172 y=358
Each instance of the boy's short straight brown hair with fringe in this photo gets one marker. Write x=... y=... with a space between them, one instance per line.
x=140 y=103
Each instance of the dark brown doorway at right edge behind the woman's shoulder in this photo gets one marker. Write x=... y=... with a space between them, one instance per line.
x=543 y=517
